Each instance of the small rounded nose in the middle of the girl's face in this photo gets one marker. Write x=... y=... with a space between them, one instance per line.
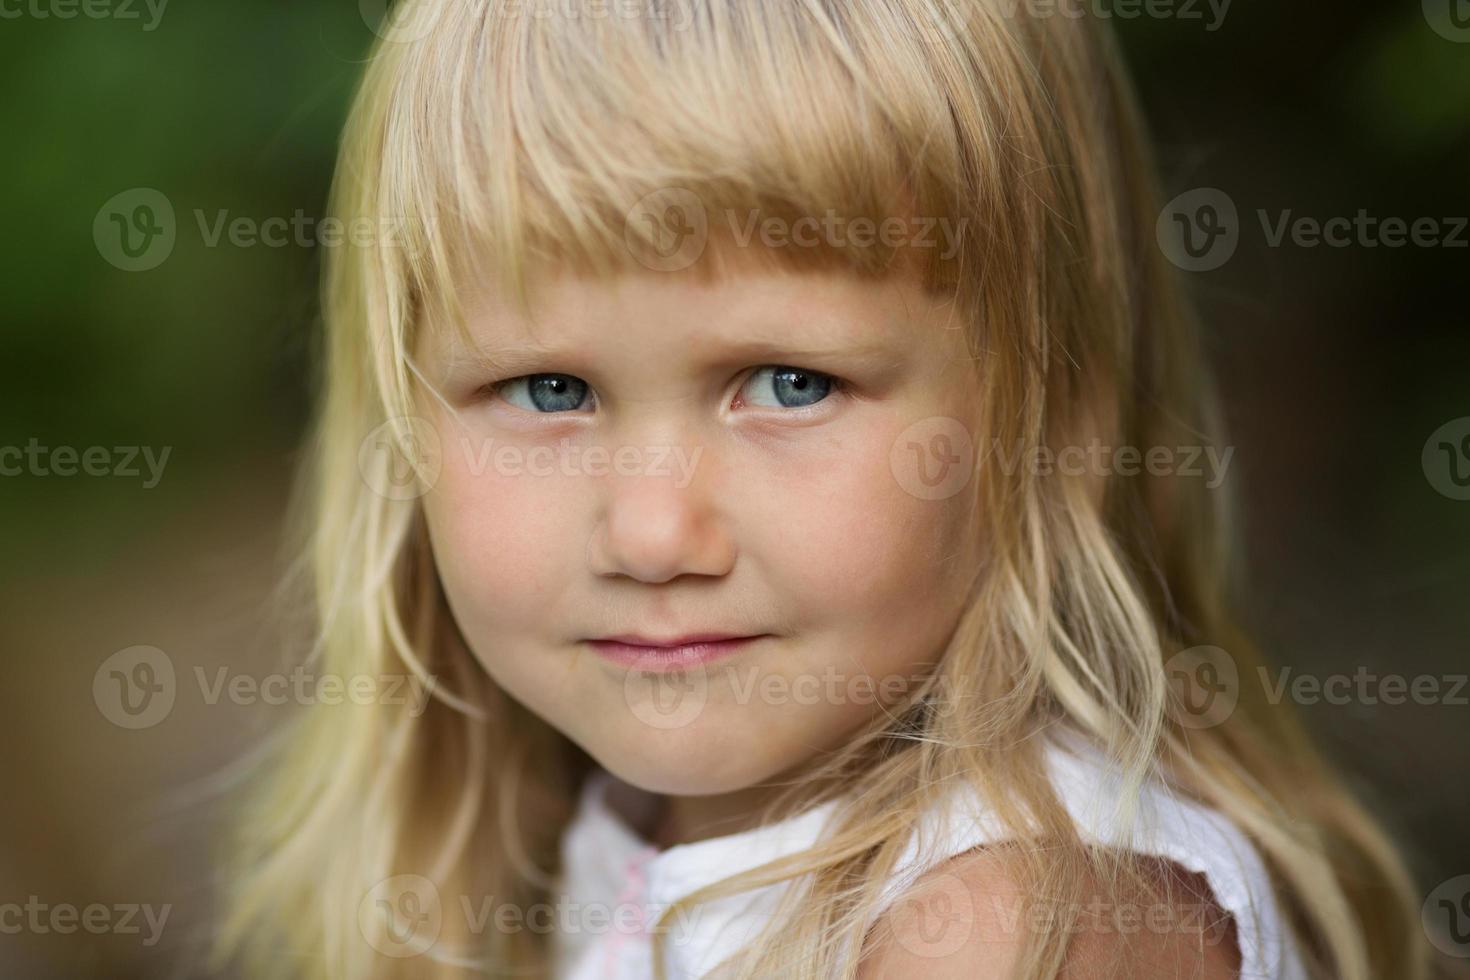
x=655 y=530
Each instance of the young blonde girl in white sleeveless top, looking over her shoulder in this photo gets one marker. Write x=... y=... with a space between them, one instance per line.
x=739 y=422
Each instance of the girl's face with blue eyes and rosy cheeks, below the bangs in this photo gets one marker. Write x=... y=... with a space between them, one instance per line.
x=768 y=456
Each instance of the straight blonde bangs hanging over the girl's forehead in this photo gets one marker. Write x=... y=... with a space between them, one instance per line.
x=517 y=145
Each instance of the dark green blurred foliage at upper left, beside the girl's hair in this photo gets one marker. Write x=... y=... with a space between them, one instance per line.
x=227 y=107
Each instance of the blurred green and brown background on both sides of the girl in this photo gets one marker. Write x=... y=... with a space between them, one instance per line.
x=1337 y=367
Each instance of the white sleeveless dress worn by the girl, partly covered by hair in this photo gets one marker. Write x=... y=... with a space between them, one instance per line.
x=617 y=885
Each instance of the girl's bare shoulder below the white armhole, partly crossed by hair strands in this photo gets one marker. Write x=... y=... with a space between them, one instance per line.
x=969 y=919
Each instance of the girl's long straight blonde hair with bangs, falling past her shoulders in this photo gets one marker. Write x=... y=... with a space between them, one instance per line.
x=528 y=140
